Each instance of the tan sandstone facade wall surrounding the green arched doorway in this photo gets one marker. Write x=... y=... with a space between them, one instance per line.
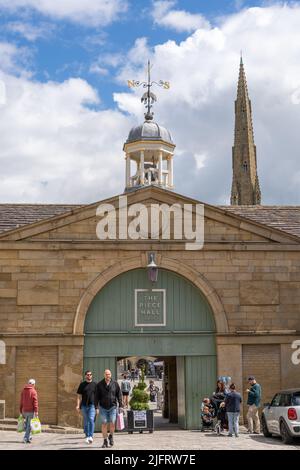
x=51 y=270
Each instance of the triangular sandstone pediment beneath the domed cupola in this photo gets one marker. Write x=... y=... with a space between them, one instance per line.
x=80 y=223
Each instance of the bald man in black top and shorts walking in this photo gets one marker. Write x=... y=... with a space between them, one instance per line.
x=108 y=396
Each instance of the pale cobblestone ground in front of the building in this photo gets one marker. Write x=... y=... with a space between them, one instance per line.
x=159 y=440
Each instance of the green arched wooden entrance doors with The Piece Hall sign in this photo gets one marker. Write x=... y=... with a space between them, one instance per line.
x=130 y=316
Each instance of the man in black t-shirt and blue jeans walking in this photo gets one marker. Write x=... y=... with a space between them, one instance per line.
x=87 y=403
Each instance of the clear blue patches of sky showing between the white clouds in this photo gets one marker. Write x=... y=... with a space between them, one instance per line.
x=64 y=48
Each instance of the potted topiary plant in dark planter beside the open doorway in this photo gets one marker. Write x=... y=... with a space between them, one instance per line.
x=139 y=417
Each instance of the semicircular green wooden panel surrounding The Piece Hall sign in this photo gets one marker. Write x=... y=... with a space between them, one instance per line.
x=112 y=309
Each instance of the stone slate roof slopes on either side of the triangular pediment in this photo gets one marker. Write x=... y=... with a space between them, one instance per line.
x=284 y=218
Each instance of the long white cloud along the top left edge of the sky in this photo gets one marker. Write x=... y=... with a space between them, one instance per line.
x=94 y=13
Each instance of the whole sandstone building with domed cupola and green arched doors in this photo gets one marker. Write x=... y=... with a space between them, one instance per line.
x=67 y=298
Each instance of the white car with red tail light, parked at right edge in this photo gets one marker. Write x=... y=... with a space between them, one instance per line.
x=282 y=416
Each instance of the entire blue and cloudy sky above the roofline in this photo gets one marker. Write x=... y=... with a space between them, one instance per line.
x=66 y=109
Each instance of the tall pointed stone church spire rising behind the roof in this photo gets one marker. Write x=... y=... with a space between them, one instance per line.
x=245 y=184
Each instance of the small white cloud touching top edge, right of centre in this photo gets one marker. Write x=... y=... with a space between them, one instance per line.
x=179 y=20
